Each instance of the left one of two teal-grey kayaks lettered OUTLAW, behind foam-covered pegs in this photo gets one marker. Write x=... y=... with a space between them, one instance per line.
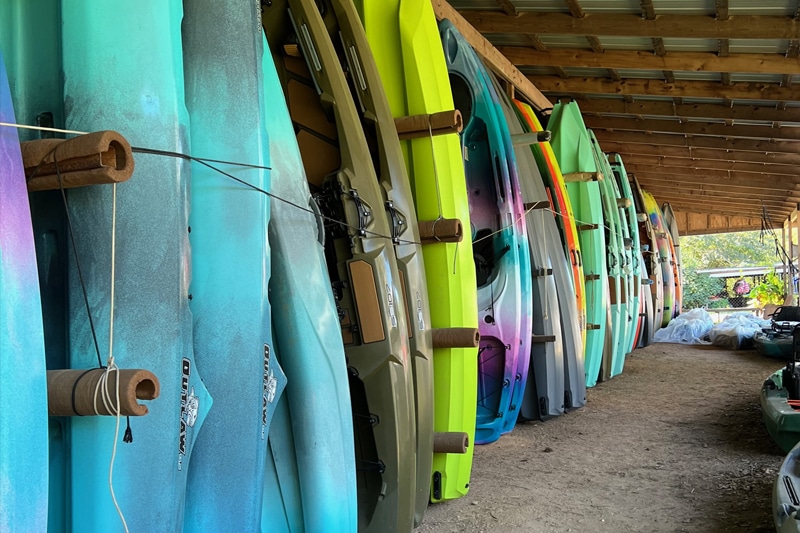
x=105 y=89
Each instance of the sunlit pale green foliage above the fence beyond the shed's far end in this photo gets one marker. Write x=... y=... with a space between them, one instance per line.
x=726 y=250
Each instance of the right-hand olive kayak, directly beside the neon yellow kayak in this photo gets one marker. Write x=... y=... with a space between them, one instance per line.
x=347 y=34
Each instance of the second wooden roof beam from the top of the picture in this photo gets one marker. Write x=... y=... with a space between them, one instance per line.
x=637 y=59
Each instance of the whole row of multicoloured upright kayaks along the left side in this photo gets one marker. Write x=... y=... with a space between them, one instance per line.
x=327 y=344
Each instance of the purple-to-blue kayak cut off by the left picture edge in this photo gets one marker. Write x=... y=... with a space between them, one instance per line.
x=23 y=377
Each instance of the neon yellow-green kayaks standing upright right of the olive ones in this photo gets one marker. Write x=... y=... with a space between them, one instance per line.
x=405 y=42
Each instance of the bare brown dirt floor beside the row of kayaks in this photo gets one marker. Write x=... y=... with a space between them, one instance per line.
x=675 y=443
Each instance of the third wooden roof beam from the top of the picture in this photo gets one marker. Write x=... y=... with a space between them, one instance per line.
x=681 y=88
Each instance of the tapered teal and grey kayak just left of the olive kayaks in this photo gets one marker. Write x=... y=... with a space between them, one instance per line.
x=309 y=347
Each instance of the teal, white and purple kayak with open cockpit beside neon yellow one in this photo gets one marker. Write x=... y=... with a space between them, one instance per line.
x=497 y=262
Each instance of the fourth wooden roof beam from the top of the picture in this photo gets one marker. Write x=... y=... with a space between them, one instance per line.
x=595 y=106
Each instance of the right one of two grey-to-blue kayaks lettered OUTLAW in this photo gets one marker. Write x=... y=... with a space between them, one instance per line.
x=226 y=100
